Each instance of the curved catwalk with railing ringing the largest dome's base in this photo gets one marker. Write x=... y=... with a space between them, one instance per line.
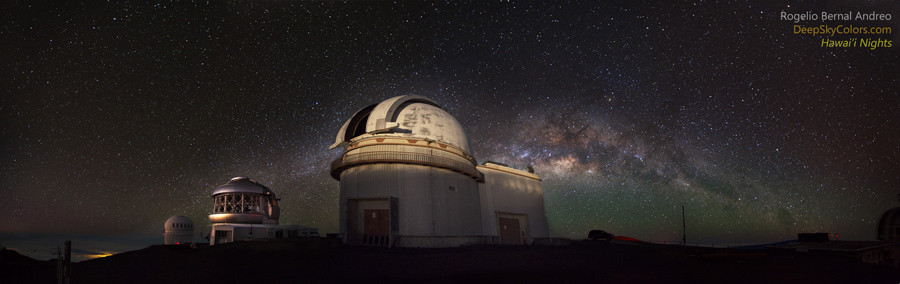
x=346 y=161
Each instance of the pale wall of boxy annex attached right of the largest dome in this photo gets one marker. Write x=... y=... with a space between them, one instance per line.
x=511 y=192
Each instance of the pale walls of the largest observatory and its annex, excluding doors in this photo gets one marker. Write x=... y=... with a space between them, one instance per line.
x=432 y=214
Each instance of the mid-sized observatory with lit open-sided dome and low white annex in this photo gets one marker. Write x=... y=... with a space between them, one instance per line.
x=245 y=209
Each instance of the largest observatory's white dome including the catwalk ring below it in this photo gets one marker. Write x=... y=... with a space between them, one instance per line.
x=410 y=130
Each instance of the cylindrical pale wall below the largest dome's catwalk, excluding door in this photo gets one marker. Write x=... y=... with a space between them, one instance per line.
x=427 y=204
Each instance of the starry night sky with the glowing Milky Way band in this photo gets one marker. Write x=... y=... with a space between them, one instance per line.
x=117 y=116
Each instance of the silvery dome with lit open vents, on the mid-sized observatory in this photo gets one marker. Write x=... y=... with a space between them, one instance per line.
x=243 y=200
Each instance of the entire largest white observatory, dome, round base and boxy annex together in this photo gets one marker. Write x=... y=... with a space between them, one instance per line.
x=408 y=179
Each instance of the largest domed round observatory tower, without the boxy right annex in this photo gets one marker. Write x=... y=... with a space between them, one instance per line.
x=406 y=156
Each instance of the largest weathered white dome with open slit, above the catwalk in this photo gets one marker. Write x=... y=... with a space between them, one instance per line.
x=405 y=116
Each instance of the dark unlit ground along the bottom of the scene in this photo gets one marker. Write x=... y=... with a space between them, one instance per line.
x=326 y=261
